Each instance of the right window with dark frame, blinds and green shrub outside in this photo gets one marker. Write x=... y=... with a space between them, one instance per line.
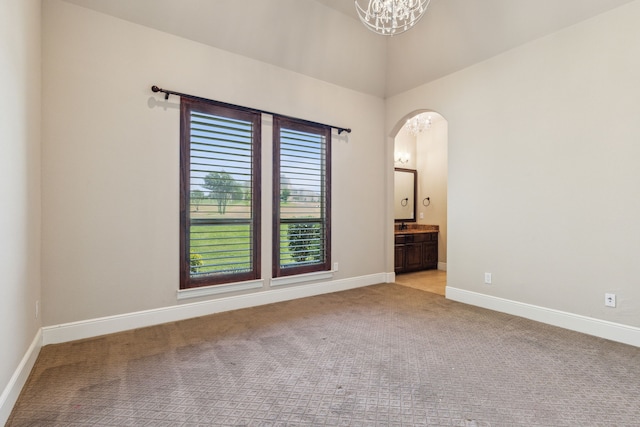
x=301 y=197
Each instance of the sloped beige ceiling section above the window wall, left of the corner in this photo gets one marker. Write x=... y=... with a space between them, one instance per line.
x=303 y=36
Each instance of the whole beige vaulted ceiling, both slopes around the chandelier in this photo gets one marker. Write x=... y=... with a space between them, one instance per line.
x=324 y=38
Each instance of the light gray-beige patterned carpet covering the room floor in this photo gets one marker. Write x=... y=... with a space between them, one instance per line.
x=384 y=355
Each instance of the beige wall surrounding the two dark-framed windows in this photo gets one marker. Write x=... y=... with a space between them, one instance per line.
x=110 y=158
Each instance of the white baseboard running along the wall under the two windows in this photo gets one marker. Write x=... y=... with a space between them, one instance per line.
x=118 y=323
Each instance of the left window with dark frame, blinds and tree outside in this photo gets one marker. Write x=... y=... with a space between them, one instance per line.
x=219 y=194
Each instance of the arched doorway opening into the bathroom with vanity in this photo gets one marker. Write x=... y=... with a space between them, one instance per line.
x=421 y=144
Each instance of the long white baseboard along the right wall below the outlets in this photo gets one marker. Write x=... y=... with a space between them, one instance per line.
x=575 y=322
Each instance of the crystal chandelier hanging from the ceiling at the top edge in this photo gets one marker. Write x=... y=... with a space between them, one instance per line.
x=390 y=17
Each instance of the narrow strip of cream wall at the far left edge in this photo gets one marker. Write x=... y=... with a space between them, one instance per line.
x=20 y=189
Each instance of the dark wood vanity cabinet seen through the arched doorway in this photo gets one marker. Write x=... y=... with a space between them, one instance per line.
x=416 y=251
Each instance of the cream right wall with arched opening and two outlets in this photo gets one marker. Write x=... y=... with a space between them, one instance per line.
x=543 y=168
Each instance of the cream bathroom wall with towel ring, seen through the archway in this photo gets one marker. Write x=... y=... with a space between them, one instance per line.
x=432 y=149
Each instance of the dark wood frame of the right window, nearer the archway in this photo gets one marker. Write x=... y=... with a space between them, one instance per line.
x=280 y=122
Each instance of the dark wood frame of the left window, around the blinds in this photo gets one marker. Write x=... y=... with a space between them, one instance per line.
x=187 y=106
